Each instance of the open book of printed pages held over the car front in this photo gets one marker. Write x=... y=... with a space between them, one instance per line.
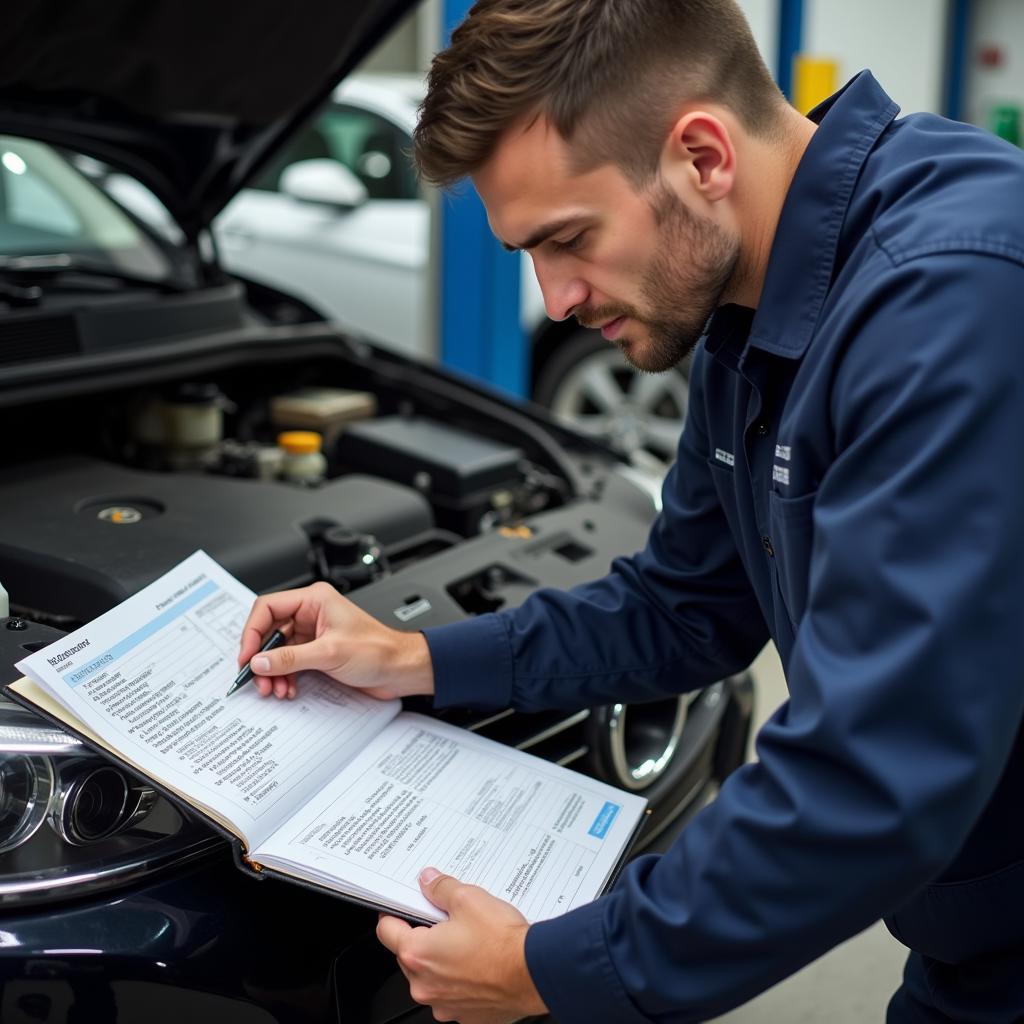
x=333 y=789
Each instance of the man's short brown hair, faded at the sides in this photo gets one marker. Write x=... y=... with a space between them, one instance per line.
x=610 y=75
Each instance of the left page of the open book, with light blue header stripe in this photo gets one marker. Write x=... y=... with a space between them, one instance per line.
x=150 y=679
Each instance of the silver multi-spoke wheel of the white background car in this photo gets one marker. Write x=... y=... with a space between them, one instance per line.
x=587 y=382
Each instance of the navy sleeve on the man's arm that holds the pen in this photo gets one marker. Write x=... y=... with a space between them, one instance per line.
x=675 y=617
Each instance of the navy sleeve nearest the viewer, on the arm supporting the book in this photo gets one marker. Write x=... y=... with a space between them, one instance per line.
x=906 y=681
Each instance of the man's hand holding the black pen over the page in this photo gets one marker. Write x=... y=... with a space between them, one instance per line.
x=329 y=633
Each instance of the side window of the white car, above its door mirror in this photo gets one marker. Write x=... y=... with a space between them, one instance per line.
x=376 y=151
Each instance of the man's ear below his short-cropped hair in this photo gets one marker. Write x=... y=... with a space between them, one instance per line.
x=699 y=157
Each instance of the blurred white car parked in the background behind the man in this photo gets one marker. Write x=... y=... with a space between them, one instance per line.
x=340 y=221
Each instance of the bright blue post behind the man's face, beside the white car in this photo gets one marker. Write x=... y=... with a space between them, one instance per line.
x=480 y=331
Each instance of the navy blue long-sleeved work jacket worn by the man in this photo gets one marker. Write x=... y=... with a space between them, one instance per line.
x=850 y=483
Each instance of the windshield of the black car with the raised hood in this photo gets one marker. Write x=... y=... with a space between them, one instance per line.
x=48 y=206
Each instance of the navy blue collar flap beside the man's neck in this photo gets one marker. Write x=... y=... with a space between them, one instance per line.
x=803 y=254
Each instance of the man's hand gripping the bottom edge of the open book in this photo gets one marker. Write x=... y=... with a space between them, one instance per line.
x=471 y=968
